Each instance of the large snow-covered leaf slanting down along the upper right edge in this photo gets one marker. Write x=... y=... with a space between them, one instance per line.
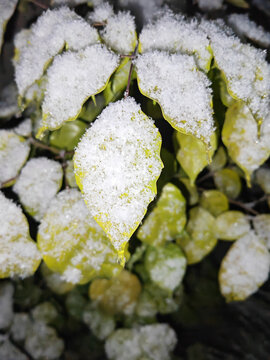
x=246 y=72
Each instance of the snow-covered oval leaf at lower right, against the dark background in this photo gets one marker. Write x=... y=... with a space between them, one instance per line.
x=244 y=268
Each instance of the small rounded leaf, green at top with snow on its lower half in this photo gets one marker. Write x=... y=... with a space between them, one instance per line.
x=166 y=266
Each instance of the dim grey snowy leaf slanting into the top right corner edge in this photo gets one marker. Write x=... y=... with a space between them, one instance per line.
x=245 y=27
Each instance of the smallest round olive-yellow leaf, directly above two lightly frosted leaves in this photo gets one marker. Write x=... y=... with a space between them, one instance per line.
x=214 y=201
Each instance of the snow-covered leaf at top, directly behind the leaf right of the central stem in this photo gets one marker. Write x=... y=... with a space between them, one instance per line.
x=173 y=33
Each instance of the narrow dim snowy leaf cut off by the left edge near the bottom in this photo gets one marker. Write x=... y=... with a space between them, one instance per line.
x=6 y=304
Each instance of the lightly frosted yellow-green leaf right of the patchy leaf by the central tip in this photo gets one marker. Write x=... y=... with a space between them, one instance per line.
x=198 y=240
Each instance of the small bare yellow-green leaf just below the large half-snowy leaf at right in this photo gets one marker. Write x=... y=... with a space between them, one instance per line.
x=228 y=182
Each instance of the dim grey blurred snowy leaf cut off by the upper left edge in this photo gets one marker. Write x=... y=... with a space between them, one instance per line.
x=8 y=101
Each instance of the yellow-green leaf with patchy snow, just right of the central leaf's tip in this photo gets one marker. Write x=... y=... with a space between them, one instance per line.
x=167 y=219
